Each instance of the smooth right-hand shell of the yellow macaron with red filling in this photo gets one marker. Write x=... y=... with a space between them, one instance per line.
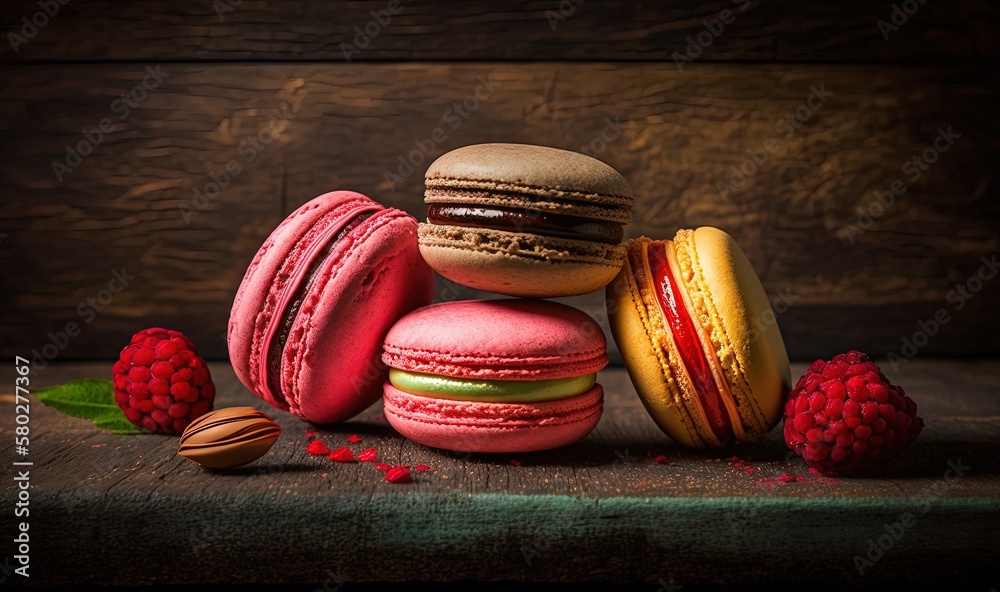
x=756 y=348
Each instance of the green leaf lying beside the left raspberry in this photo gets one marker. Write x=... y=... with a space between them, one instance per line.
x=89 y=398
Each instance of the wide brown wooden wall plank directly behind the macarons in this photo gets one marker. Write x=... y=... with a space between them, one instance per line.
x=134 y=203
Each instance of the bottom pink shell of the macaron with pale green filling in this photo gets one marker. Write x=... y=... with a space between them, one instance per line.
x=492 y=427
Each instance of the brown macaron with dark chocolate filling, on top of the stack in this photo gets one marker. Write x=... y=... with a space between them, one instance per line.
x=525 y=220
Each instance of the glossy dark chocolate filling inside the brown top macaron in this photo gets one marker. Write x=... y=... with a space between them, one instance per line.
x=532 y=221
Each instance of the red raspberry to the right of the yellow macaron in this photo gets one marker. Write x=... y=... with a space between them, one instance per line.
x=867 y=420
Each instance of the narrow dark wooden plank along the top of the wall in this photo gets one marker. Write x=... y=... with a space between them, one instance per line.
x=529 y=30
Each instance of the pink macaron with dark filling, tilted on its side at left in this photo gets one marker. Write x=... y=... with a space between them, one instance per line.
x=307 y=323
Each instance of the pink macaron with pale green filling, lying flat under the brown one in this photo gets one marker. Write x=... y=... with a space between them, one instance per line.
x=506 y=375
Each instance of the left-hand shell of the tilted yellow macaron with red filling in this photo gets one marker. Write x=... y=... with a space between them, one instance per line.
x=649 y=372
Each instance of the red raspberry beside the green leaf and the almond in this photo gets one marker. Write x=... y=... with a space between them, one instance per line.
x=161 y=383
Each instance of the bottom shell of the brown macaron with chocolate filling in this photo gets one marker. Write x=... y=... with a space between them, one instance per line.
x=519 y=264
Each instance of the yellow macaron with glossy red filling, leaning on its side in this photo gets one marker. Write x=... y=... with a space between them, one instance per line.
x=699 y=339
